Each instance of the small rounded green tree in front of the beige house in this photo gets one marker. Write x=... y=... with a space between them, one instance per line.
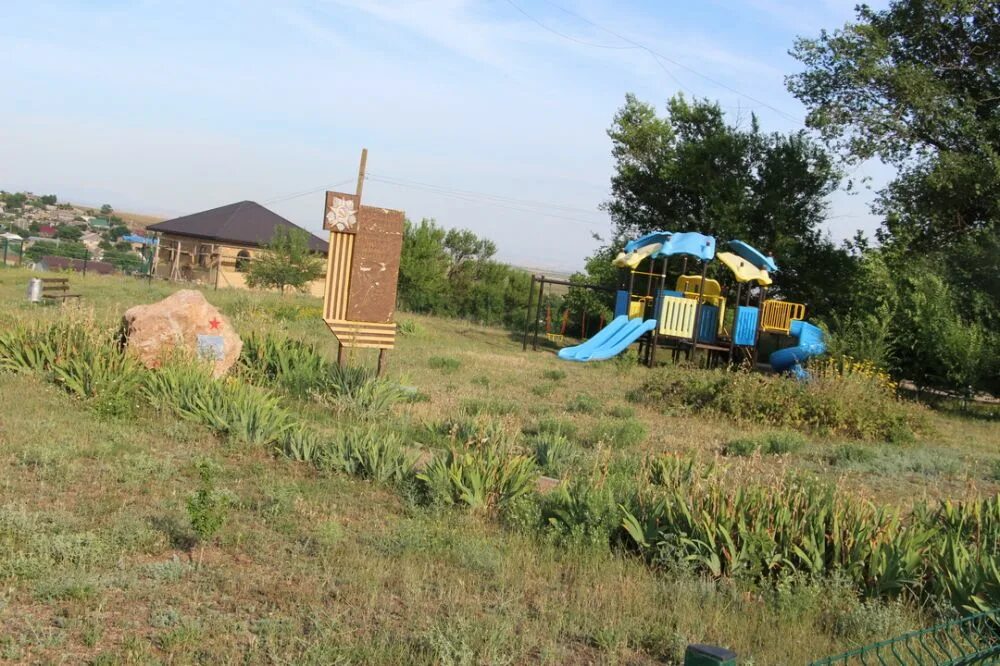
x=285 y=262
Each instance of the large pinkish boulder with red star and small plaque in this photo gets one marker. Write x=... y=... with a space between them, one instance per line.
x=185 y=321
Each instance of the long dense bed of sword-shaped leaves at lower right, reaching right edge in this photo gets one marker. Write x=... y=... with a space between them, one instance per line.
x=776 y=532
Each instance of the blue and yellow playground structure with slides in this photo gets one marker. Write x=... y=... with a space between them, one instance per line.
x=696 y=315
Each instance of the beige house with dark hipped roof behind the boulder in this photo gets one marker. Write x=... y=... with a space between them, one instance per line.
x=216 y=246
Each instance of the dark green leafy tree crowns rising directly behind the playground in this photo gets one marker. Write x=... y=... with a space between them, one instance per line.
x=691 y=171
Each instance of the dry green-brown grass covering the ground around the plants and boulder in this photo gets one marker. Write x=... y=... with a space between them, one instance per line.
x=99 y=562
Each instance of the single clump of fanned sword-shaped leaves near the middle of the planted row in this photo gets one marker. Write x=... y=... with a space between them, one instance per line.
x=485 y=478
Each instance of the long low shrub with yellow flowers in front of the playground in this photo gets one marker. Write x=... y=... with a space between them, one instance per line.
x=854 y=406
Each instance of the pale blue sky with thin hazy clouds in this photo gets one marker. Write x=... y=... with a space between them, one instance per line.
x=174 y=107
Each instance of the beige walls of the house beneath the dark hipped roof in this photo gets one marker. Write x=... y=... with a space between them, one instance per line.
x=198 y=262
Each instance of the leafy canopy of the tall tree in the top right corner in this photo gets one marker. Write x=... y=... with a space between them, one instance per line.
x=918 y=86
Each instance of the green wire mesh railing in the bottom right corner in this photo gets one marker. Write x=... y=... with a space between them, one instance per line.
x=969 y=640
